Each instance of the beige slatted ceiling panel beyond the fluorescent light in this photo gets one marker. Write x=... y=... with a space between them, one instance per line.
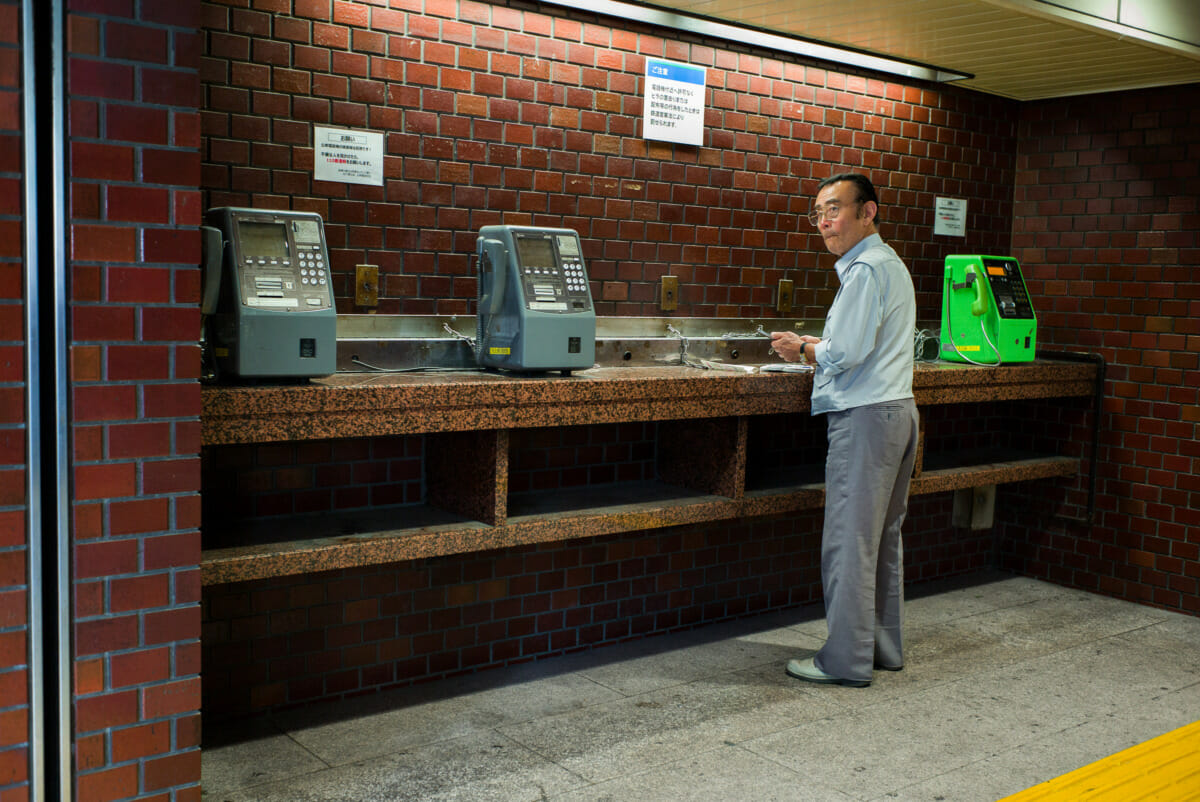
x=1025 y=50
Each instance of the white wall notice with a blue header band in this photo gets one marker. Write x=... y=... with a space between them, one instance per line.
x=674 y=107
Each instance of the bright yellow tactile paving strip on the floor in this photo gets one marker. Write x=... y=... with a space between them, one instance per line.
x=1166 y=769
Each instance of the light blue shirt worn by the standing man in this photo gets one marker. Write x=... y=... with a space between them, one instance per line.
x=866 y=355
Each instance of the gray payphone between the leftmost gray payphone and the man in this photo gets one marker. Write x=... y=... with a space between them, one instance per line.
x=535 y=310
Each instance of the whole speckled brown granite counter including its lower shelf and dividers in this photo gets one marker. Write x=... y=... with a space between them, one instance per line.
x=703 y=454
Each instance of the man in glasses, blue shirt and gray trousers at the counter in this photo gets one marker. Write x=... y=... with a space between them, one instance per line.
x=863 y=381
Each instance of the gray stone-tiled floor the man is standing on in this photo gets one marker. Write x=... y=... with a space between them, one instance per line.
x=1010 y=683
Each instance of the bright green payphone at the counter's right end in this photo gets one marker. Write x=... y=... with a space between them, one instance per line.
x=987 y=315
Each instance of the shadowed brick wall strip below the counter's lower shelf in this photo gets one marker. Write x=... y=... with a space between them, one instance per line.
x=283 y=643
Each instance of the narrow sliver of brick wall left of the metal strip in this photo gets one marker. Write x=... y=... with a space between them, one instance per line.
x=15 y=636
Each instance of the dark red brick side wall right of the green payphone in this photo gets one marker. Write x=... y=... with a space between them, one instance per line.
x=1108 y=230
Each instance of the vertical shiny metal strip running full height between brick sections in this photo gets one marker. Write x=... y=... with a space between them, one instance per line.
x=49 y=468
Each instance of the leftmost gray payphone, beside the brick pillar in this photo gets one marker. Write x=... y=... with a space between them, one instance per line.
x=268 y=302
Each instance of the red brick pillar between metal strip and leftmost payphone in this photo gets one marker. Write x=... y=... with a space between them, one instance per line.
x=135 y=204
